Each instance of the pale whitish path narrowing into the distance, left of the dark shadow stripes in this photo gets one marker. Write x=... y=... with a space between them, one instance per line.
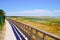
x=9 y=35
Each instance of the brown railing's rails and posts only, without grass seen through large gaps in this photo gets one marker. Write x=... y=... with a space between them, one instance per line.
x=28 y=29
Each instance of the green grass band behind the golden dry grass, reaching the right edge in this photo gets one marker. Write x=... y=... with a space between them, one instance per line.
x=49 y=22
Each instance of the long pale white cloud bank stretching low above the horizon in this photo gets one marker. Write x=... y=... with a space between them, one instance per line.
x=37 y=12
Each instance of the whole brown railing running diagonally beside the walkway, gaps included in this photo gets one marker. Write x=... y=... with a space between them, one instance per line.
x=35 y=33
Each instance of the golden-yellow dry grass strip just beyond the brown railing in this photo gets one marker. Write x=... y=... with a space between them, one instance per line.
x=50 y=29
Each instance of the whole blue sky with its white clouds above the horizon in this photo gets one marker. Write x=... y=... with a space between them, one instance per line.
x=31 y=7
